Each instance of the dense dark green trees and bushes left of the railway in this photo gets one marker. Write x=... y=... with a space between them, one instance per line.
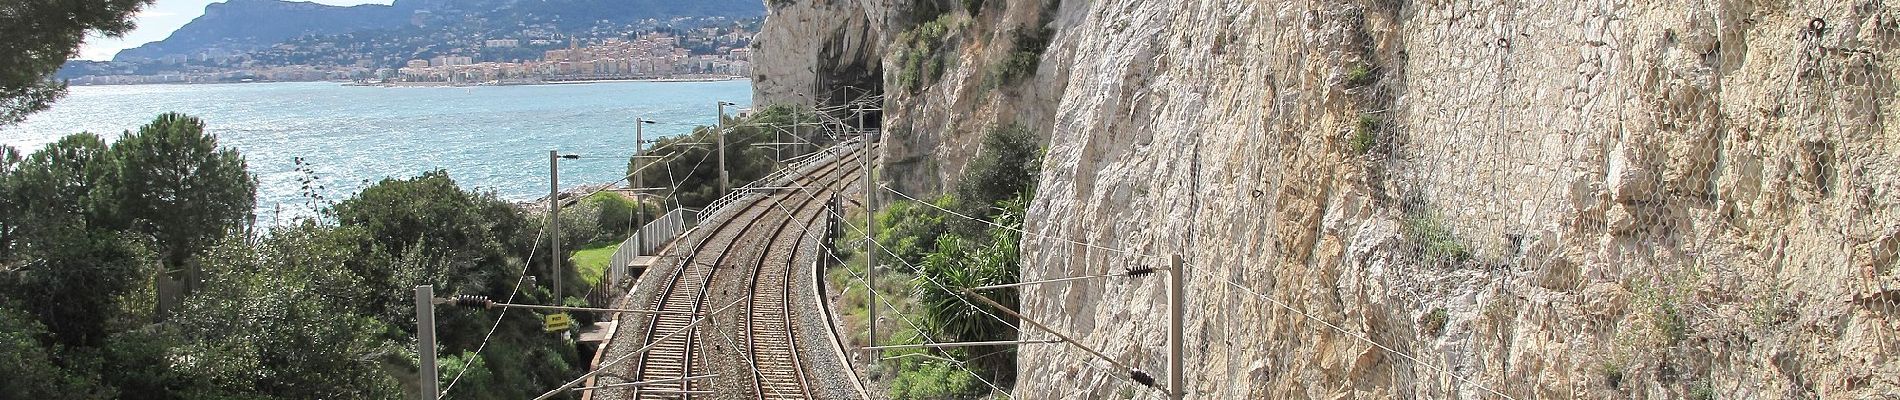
x=320 y=308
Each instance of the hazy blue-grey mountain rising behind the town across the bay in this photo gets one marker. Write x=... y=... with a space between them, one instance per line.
x=246 y=26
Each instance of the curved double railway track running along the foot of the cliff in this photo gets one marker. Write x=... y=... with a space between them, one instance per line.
x=763 y=240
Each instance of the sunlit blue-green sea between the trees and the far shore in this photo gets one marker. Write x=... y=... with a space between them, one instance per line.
x=485 y=137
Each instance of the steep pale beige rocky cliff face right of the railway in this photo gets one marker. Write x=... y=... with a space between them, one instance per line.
x=1451 y=200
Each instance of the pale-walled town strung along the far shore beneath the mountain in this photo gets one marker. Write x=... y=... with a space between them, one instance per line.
x=531 y=56
